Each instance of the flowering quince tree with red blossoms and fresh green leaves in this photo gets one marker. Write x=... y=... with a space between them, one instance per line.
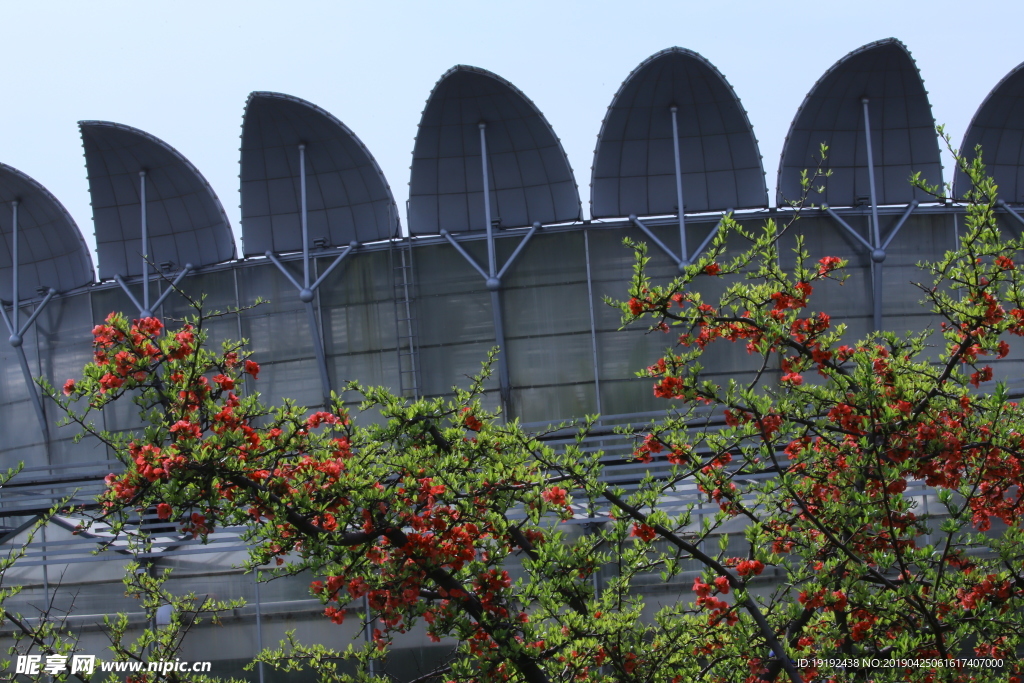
x=442 y=516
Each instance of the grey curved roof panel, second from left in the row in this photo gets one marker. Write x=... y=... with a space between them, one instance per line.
x=187 y=223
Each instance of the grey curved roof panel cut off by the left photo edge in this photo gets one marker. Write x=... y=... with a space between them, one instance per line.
x=52 y=250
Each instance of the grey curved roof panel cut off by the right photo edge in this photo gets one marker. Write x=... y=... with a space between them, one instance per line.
x=999 y=129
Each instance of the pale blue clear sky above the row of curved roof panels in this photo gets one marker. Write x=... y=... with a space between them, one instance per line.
x=183 y=70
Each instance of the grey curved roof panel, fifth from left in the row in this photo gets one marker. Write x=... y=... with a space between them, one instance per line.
x=634 y=166
